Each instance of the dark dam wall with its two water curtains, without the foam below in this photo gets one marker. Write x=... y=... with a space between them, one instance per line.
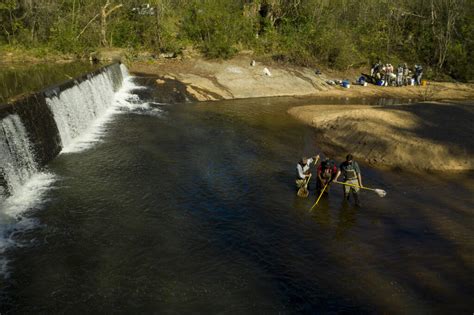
x=35 y=129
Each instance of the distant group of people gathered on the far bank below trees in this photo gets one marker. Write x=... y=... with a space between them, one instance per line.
x=387 y=75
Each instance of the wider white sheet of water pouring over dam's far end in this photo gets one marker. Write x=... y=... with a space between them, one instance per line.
x=76 y=108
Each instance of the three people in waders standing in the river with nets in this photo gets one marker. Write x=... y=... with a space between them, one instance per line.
x=328 y=172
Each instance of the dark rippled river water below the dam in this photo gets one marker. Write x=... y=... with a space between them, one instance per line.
x=191 y=208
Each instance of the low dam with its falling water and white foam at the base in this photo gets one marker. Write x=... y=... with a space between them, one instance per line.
x=29 y=139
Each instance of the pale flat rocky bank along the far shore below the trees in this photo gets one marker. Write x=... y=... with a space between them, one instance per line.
x=236 y=78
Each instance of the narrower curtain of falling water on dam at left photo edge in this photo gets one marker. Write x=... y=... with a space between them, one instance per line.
x=17 y=163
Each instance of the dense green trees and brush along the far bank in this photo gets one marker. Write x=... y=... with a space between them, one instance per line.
x=336 y=33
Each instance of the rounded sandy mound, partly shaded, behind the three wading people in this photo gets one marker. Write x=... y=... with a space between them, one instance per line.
x=434 y=136
